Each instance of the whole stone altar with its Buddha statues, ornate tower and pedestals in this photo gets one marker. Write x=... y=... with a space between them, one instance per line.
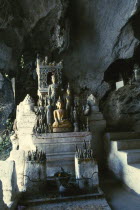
x=52 y=137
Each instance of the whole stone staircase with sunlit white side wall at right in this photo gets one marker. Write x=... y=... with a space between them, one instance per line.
x=124 y=157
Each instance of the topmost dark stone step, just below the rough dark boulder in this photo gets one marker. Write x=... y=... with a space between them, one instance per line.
x=114 y=136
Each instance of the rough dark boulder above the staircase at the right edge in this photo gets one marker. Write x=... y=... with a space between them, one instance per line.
x=121 y=109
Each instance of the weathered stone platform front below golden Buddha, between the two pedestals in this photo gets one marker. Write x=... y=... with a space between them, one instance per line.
x=60 y=149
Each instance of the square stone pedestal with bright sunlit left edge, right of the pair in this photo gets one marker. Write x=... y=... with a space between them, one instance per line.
x=86 y=172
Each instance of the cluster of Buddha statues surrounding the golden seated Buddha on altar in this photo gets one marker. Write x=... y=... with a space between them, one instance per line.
x=59 y=111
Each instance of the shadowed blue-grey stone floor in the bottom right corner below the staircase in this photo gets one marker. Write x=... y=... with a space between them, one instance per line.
x=117 y=195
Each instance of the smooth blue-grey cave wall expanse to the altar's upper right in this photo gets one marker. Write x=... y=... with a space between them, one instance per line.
x=101 y=33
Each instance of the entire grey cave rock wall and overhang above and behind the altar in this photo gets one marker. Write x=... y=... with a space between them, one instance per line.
x=88 y=36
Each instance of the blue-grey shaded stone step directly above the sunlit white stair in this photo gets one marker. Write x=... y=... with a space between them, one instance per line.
x=133 y=156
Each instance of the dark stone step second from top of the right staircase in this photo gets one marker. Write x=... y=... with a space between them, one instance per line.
x=128 y=144
